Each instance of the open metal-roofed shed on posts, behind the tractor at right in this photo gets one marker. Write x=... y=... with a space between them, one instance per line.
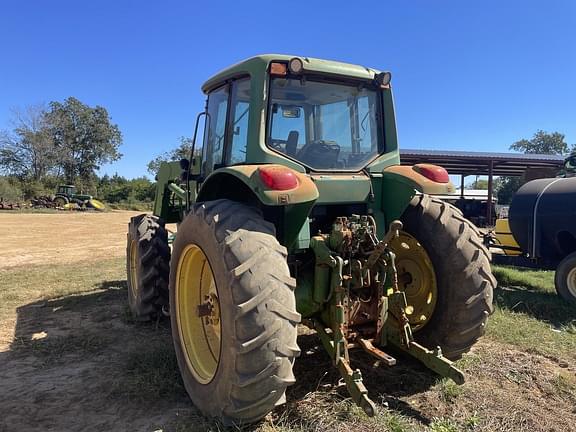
x=465 y=163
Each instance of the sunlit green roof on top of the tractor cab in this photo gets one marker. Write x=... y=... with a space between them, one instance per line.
x=261 y=62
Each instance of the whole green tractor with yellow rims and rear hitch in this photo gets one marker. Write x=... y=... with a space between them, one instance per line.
x=297 y=211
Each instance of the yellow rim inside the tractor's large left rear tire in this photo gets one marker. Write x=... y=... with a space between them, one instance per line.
x=198 y=314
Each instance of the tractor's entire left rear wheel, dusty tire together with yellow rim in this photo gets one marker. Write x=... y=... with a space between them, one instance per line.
x=233 y=312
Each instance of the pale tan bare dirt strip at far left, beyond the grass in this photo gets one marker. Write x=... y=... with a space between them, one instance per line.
x=35 y=238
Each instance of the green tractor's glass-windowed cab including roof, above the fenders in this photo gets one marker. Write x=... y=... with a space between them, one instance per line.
x=316 y=115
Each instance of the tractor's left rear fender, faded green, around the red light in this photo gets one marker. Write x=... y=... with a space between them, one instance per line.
x=234 y=182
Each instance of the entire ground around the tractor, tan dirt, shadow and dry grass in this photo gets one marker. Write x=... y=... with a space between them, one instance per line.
x=71 y=358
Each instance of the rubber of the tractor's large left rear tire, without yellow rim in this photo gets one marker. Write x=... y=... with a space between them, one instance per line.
x=257 y=310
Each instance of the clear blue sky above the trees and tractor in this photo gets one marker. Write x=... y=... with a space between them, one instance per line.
x=466 y=75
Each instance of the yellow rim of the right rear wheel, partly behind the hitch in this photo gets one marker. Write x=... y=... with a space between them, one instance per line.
x=416 y=278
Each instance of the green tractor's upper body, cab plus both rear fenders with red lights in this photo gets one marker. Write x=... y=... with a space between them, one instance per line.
x=320 y=133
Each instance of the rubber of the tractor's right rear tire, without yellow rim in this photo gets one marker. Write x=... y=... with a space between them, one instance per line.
x=464 y=277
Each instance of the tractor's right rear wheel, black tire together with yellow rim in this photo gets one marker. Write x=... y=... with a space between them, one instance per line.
x=451 y=281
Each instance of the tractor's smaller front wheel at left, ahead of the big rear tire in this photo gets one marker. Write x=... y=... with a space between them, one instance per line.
x=148 y=290
